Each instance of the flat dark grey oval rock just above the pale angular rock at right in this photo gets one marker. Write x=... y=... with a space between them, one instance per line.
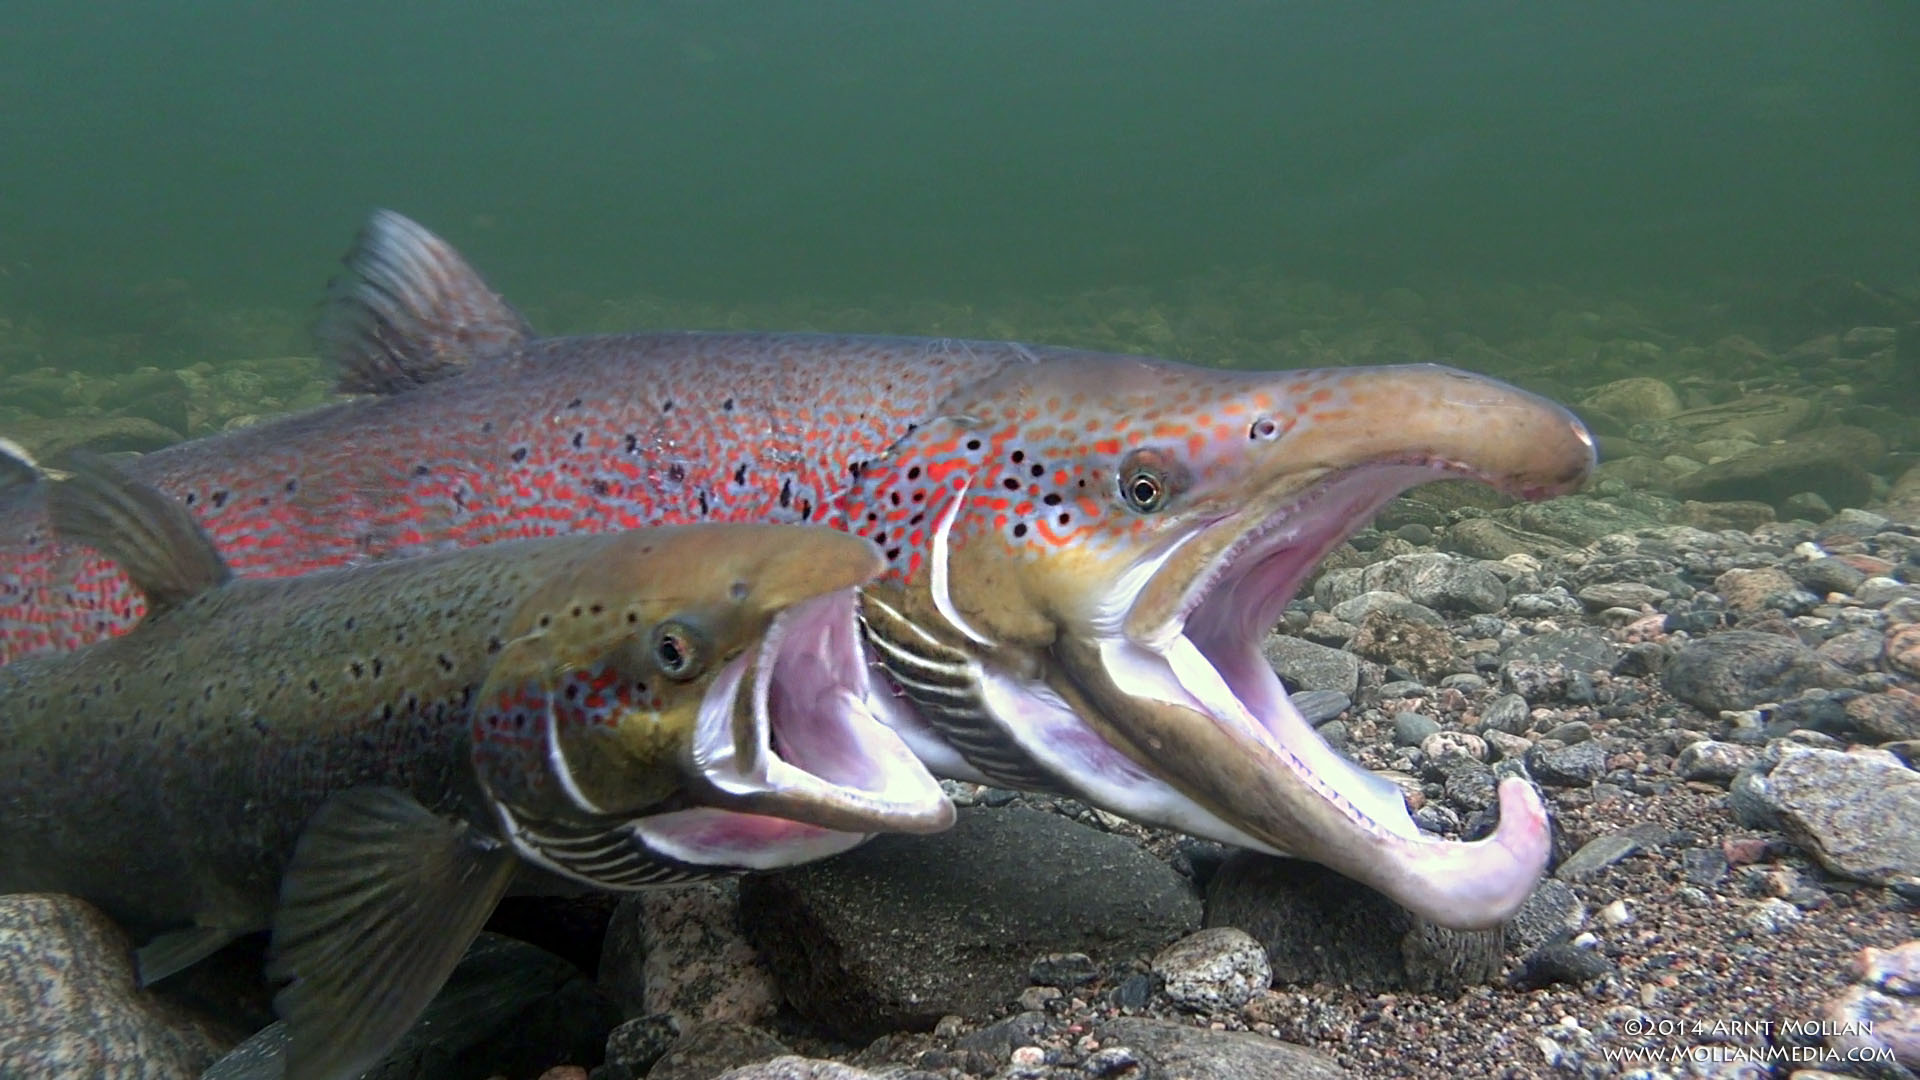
x=1740 y=670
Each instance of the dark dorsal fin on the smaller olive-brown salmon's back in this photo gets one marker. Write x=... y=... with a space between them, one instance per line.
x=153 y=537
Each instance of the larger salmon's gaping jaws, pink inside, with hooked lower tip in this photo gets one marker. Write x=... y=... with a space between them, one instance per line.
x=1201 y=699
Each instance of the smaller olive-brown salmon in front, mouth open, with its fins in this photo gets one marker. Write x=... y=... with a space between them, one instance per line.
x=364 y=760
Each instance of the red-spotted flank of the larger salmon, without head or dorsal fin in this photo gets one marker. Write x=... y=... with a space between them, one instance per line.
x=567 y=435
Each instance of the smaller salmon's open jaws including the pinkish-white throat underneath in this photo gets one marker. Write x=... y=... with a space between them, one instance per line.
x=786 y=760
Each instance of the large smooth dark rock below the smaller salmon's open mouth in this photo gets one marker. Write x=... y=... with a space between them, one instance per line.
x=909 y=929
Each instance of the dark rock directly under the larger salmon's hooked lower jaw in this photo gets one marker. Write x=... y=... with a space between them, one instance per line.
x=1322 y=927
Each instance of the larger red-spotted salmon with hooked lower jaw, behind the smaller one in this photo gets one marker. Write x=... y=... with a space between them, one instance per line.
x=1084 y=551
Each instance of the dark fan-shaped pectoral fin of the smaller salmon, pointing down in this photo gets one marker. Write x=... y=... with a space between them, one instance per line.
x=377 y=908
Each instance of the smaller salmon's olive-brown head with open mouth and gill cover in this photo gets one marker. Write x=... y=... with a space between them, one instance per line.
x=648 y=691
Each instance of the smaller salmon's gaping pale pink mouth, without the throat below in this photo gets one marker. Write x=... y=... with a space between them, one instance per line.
x=786 y=731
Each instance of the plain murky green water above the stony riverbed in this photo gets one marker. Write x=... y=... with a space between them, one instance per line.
x=949 y=149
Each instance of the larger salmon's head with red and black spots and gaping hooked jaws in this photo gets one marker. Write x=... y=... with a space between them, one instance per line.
x=1105 y=543
